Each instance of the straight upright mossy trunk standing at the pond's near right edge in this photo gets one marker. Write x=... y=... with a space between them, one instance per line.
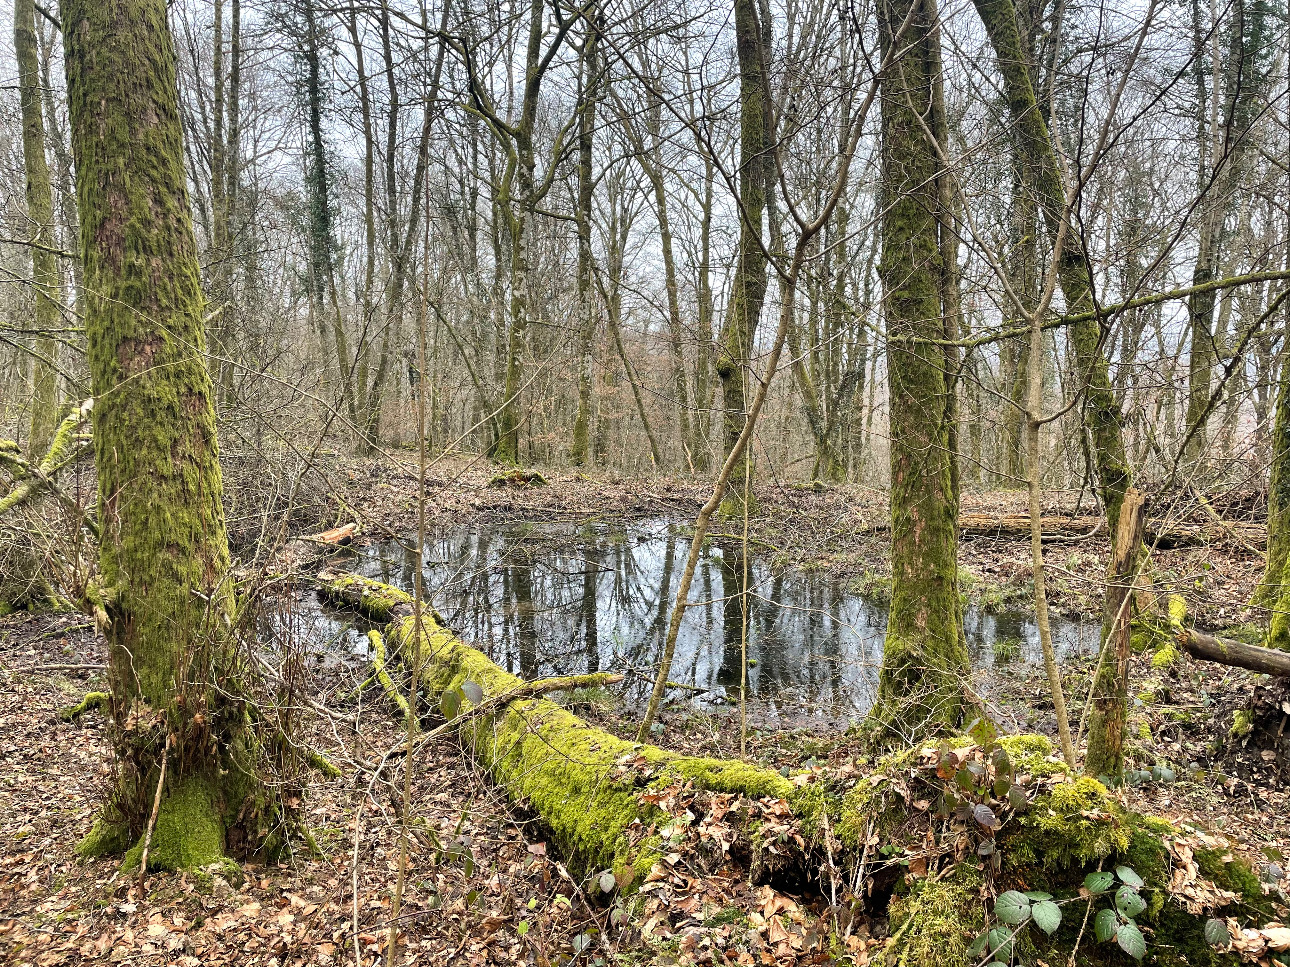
x=924 y=659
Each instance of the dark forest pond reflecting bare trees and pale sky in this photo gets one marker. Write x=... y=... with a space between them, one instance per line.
x=554 y=598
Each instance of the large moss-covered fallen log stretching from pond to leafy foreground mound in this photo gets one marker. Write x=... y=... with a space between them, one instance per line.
x=980 y=816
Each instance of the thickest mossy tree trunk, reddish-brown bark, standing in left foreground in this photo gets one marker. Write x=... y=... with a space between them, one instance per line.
x=164 y=600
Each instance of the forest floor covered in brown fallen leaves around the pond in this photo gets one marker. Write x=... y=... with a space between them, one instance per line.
x=484 y=889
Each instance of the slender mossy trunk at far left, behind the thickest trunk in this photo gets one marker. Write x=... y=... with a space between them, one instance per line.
x=41 y=230
